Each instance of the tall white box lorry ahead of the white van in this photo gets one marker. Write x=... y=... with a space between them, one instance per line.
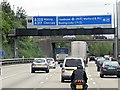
x=79 y=49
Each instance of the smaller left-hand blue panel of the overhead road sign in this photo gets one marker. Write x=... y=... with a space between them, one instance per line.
x=44 y=20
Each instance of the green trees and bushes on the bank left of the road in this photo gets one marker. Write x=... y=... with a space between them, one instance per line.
x=10 y=21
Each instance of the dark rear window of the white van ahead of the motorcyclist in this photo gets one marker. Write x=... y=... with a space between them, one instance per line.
x=72 y=62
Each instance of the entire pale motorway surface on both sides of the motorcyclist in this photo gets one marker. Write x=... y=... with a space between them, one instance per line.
x=20 y=76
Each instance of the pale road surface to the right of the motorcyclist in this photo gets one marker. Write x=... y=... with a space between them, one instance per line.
x=97 y=82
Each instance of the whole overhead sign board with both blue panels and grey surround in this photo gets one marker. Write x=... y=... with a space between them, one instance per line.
x=103 y=21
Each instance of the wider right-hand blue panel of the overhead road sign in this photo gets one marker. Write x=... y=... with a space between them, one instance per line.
x=84 y=20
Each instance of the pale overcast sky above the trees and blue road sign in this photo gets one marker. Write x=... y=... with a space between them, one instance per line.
x=64 y=7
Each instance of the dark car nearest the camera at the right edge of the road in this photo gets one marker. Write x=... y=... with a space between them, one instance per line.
x=110 y=68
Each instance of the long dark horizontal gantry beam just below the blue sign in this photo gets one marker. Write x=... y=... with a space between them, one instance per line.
x=63 y=31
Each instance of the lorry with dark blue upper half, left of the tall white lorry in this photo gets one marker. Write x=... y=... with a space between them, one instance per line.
x=61 y=54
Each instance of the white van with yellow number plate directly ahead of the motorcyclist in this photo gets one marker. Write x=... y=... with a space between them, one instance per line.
x=68 y=66
